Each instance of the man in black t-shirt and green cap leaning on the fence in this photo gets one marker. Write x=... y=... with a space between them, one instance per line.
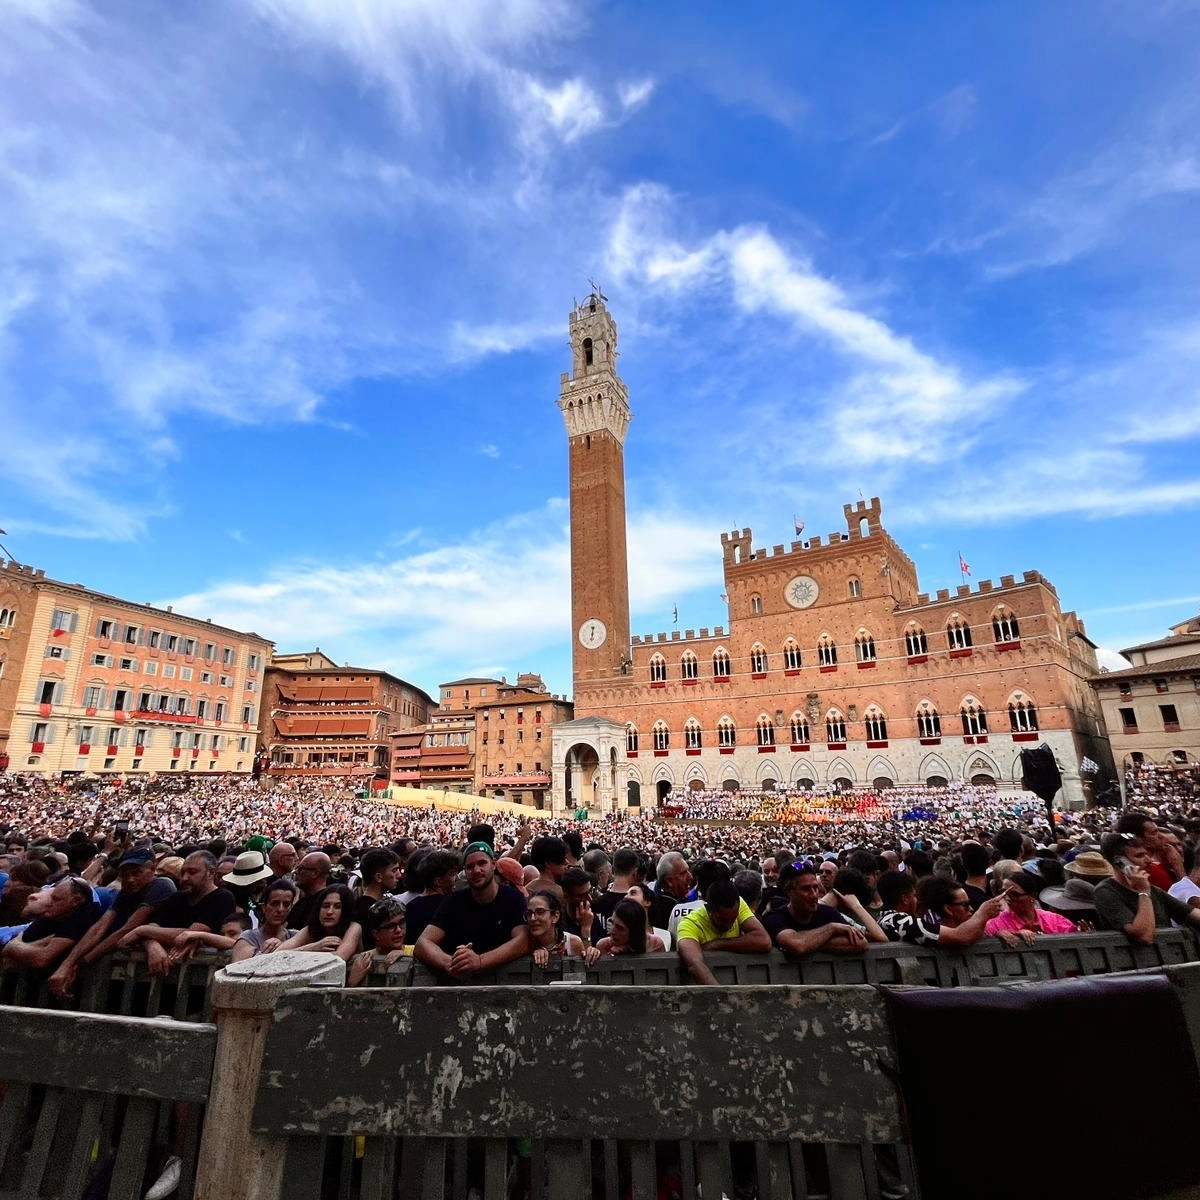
x=479 y=928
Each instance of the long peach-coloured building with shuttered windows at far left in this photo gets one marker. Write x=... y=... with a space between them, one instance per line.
x=94 y=685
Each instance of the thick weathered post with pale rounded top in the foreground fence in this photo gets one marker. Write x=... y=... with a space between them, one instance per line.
x=236 y=1163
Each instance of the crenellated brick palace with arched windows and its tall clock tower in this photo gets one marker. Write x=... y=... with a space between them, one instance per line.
x=835 y=669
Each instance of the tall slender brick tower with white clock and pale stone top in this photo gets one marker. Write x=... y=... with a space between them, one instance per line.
x=596 y=407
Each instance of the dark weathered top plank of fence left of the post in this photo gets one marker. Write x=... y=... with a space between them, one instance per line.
x=118 y=1055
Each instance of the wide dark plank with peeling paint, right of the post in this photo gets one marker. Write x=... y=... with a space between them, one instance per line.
x=477 y=1063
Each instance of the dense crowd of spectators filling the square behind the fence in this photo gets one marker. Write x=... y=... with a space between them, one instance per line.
x=172 y=868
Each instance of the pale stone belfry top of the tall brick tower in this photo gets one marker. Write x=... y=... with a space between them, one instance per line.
x=593 y=399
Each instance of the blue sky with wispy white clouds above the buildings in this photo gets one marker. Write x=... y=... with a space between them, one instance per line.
x=285 y=284
